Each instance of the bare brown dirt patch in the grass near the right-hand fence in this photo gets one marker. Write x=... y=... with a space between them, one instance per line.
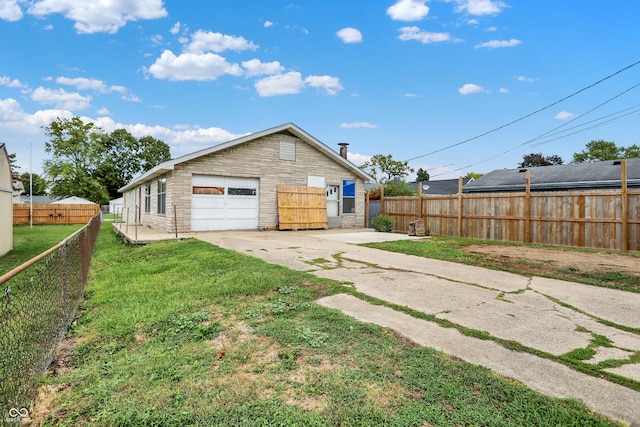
x=551 y=259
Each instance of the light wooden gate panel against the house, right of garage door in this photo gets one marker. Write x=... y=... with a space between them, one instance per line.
x=302 y=208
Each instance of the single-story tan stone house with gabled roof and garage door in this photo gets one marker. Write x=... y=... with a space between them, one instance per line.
x=233 y=185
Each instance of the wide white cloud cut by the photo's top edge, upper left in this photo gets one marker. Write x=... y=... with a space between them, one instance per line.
x=100 y=16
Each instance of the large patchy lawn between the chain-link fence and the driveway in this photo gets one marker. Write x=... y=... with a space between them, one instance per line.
x=186 y=333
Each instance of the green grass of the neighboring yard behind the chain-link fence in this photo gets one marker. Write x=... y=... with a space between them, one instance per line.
x=29 y=242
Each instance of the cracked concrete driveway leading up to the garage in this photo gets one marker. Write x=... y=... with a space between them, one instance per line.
x=543 y=314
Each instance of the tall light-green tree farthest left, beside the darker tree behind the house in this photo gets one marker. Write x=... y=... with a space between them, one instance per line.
x=76 y=152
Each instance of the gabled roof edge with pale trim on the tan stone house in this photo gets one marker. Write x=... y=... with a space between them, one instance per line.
x=165 y=167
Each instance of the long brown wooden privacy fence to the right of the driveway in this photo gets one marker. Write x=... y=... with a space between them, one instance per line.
x=601 y=219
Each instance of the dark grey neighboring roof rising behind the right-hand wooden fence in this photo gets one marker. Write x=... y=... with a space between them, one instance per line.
x=573 y=176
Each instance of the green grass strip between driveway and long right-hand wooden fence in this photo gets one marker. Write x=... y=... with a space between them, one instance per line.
x=453 y=249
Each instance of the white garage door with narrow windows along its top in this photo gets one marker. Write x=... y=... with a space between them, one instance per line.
x=224 y=203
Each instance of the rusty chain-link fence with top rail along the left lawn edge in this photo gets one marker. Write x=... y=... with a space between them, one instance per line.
x=38 y=301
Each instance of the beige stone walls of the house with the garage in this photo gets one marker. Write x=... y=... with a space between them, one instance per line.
x=255 y=159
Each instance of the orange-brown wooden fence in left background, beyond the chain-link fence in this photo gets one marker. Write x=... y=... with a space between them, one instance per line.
x=54 y=214
